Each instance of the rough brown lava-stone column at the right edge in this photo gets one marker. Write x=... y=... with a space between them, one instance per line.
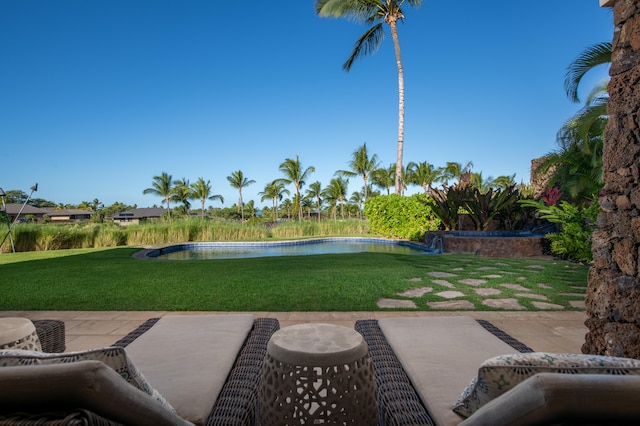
x=613 y=297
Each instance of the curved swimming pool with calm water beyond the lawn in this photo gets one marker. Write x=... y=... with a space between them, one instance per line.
x=237 y=250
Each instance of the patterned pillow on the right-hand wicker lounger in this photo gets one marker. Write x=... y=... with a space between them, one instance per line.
x=502 y=373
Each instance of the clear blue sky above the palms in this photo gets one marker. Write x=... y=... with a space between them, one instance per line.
x=97 y=97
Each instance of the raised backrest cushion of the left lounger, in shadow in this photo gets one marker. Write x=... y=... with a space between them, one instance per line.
x=63 y=389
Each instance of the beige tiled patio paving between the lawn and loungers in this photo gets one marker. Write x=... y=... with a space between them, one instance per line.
x=544 y=331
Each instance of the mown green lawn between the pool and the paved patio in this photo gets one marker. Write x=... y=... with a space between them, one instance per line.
x=110 y=279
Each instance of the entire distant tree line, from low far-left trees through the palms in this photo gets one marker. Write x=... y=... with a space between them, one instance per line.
x=375 y=180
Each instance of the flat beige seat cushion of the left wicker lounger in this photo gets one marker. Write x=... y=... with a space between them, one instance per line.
x=188 y=358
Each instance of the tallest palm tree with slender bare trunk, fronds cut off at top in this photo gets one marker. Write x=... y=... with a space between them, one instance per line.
x=376 y=12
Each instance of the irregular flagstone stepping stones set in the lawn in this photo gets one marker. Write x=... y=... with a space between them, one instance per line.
x=447 y=291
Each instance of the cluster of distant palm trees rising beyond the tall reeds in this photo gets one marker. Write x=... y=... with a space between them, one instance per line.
x=375 y=178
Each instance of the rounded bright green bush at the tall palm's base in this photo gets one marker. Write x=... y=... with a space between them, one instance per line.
x=394 y=216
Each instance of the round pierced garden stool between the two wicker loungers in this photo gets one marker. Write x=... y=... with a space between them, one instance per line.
x=317 y=374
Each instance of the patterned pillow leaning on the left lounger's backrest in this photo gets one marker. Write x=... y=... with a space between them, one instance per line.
x=113 y=357
